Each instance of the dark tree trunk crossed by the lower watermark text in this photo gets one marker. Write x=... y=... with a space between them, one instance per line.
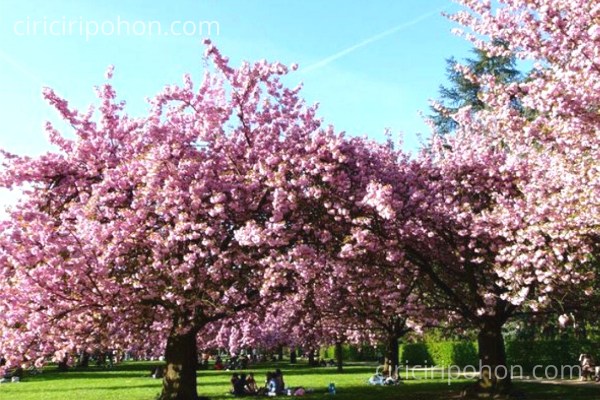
x=495 y=375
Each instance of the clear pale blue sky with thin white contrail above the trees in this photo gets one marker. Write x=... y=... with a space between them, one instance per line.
x=371 y=65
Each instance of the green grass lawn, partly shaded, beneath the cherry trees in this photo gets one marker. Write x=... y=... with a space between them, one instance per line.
x=131 y=381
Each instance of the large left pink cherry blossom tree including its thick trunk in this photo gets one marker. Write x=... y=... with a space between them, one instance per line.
x=140 y=232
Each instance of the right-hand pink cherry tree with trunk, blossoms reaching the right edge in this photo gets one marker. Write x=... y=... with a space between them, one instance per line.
x=513 y=195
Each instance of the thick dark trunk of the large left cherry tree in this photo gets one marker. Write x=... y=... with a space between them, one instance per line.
x=179 y=382
